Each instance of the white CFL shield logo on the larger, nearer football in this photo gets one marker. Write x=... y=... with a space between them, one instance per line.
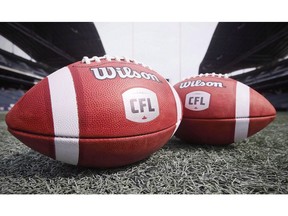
x=140 y=104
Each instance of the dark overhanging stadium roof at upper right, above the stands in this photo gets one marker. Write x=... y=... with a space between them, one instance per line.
x=243 y=45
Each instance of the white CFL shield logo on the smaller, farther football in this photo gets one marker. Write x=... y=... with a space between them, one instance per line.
x=197 y=100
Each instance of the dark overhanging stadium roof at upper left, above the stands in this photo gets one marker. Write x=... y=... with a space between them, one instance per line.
x=54 y=44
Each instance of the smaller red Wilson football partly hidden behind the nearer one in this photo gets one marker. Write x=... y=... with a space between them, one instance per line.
x=218 y=110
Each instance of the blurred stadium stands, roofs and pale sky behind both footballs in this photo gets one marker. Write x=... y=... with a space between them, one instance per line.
x=254 y=53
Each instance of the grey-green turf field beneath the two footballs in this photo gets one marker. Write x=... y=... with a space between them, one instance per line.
x=258 y=165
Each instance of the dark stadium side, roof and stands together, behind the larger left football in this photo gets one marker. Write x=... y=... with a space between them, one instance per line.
x=50 y=45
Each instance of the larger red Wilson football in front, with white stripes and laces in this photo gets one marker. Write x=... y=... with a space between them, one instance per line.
x=99 y=112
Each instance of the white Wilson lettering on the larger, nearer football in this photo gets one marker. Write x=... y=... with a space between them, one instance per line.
x=103 y=73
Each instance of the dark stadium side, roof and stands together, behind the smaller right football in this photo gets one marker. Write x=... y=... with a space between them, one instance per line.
x=260 y=47
